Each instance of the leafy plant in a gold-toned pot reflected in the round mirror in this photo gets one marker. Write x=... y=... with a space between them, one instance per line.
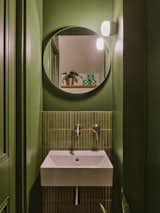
x=71 y=78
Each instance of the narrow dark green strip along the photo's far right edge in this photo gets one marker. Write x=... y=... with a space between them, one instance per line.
x=153 y=154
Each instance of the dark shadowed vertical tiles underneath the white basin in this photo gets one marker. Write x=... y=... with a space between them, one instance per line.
x=61 y=200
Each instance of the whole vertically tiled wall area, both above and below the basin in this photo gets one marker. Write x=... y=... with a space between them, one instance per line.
x=58 y=134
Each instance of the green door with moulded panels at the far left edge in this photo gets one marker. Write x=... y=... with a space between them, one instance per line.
x=7 y=106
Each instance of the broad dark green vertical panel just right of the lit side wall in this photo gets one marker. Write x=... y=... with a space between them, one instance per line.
x=134 y=103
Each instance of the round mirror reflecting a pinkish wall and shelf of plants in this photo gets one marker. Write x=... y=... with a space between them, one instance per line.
x=76 y=60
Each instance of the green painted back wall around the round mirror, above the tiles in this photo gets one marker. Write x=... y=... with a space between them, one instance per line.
x=84 y=13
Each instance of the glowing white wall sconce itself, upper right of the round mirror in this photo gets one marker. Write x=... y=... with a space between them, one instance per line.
x=108 y=28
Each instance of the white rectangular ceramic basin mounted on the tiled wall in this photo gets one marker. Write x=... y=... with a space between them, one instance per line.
x=82 y=168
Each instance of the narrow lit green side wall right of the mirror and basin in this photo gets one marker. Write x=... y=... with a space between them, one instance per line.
x=117 y=78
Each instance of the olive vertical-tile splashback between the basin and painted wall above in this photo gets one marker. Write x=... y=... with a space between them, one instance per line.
x=58 y=130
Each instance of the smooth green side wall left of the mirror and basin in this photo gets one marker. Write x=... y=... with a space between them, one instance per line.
x=33 y=102
